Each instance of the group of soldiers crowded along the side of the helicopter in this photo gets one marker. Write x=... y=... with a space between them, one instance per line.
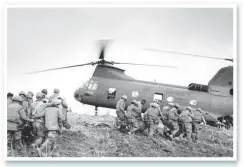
x=178 y=122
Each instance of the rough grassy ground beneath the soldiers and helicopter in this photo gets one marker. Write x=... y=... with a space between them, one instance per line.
x=92 y=136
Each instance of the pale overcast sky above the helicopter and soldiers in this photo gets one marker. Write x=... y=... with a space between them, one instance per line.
x=40 y=38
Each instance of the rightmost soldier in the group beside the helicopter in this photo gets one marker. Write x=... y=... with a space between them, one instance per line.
x=196 y=121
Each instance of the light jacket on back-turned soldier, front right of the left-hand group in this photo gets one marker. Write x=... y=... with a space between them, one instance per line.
x=51 y=115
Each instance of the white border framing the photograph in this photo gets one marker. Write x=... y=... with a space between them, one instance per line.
x=146 y=5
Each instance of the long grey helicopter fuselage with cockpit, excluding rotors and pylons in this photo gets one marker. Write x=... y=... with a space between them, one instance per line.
x=105 y=92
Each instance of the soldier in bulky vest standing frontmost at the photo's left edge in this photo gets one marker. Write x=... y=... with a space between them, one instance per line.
x=16 y=121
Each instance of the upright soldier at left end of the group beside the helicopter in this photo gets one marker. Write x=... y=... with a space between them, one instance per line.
x=120 y=111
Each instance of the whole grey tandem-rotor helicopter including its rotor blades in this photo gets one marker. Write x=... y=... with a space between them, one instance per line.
x=108 y=83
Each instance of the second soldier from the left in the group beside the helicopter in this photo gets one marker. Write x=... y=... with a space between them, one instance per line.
x=133 y=115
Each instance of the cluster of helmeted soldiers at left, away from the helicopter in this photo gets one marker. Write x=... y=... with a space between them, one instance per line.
x=36 y=123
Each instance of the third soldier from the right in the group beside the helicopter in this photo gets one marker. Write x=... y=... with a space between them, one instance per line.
x=172 y=118
